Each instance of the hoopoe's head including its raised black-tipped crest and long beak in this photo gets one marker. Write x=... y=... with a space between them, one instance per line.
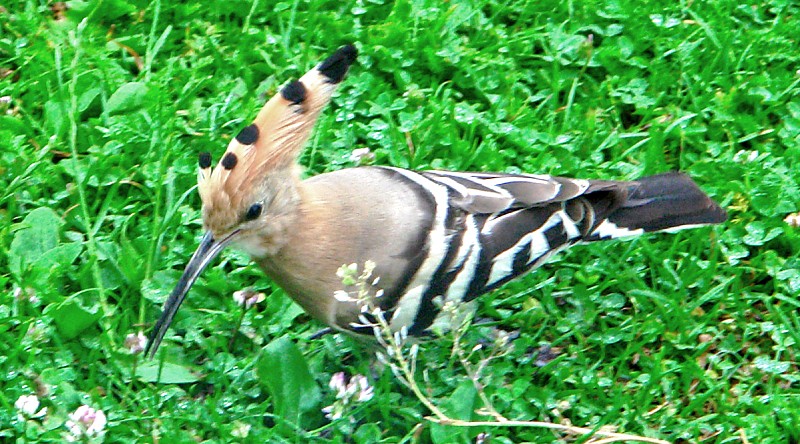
x=249 y=195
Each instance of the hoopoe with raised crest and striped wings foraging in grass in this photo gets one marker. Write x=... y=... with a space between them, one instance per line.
x=432 y=235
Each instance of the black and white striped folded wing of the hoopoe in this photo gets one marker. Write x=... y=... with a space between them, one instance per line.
x=487 y=229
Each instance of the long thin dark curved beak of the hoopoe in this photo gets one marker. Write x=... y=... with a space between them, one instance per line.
x=208 y=249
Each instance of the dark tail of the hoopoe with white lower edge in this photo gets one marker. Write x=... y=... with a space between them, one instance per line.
x=664 y=202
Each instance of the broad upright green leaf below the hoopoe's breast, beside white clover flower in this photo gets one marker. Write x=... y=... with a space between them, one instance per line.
x=283 y=370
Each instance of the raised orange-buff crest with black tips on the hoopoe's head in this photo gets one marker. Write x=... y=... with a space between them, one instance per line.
x=269 y=146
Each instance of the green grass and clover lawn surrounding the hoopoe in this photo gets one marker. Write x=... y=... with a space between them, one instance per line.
x=687 y=338
